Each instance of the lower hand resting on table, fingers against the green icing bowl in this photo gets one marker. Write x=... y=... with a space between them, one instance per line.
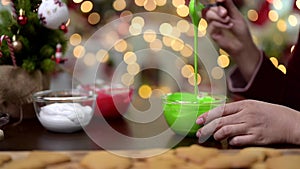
x=251 y=122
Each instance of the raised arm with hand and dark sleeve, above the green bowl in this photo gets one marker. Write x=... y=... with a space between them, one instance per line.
x=255 y=76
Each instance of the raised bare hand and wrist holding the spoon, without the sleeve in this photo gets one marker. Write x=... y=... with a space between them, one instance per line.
x=228 y=28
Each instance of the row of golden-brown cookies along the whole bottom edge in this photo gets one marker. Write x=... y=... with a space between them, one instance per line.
x=192 y=157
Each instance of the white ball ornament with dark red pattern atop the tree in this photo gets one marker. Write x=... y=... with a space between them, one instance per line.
x=53 y=13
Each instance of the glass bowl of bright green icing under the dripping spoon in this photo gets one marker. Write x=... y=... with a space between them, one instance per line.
x=181 y=110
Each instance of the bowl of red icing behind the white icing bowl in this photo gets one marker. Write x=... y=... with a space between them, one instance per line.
x=113 y=102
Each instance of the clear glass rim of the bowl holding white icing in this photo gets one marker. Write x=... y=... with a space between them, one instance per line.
x=42 y=95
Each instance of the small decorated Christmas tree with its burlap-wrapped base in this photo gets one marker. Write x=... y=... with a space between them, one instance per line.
x=27 y=49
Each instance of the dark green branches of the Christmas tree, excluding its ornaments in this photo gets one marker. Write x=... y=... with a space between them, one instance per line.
x=38 y=42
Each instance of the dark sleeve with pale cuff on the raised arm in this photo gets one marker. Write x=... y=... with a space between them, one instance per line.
x=270 y=84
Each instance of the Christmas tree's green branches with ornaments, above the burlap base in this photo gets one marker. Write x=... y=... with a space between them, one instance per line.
x=36 y=30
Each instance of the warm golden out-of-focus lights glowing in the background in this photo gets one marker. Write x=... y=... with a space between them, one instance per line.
x=169 y=36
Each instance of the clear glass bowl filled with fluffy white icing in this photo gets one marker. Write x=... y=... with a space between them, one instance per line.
x=64 y=111
